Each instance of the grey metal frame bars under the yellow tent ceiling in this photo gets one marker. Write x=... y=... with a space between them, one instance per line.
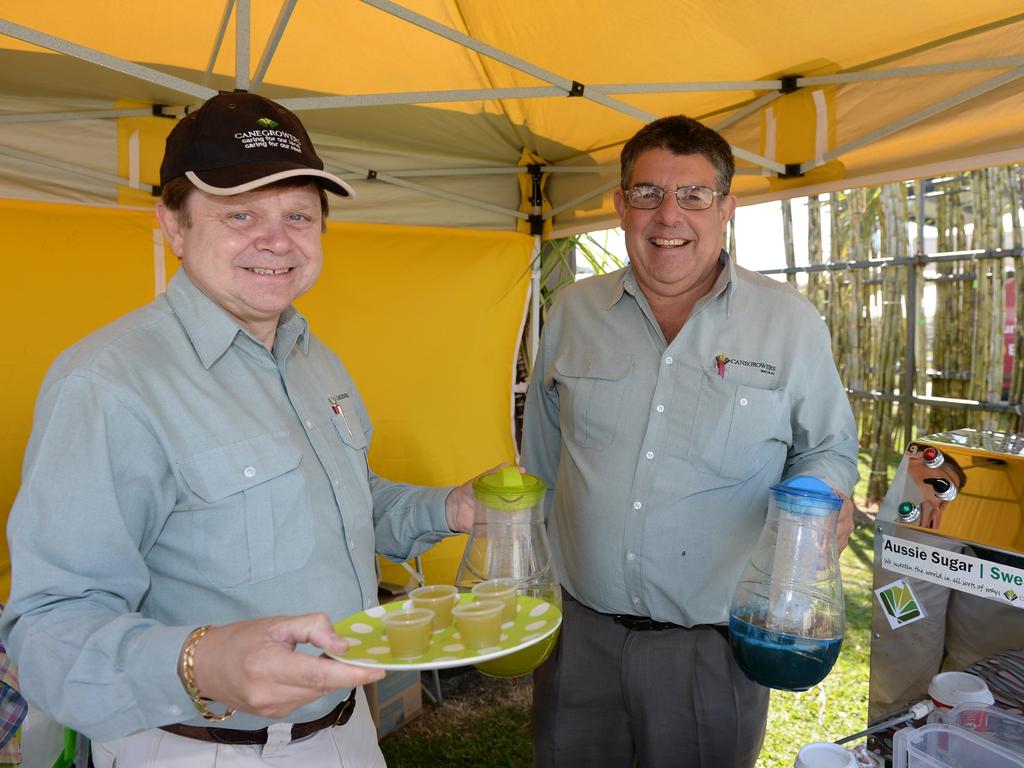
x=559 y=87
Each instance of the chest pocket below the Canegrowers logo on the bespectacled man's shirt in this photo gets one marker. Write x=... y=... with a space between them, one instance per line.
x=739 y=429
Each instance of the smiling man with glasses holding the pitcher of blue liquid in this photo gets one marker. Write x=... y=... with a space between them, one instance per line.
x=666 y=400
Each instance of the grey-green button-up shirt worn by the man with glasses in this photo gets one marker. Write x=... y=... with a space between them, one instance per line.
x=659 y=455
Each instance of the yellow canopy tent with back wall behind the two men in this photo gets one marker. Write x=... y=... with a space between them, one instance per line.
x=471 y=130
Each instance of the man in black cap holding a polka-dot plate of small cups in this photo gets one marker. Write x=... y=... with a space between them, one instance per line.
x=200 y=465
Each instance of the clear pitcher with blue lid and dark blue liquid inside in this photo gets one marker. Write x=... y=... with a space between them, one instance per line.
x=787 y=620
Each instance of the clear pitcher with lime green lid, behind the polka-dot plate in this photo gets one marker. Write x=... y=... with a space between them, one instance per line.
x=509 y=541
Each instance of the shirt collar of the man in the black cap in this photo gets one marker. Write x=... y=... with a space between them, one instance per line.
x=212 y=331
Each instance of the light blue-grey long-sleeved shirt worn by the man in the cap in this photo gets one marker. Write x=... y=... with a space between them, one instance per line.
x=180 y=475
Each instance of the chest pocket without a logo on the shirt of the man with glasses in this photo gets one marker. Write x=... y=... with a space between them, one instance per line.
x=594 y=385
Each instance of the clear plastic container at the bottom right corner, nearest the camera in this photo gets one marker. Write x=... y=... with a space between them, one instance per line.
x=943 y=746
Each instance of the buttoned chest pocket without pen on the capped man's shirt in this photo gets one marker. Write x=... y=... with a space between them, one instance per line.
x=250 y=519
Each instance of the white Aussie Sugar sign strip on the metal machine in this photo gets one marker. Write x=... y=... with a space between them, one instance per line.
x=955 y=570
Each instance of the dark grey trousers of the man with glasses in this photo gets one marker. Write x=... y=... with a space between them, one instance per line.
x=614 y=698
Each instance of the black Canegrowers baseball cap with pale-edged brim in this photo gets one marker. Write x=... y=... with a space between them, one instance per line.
x=240 y=142
